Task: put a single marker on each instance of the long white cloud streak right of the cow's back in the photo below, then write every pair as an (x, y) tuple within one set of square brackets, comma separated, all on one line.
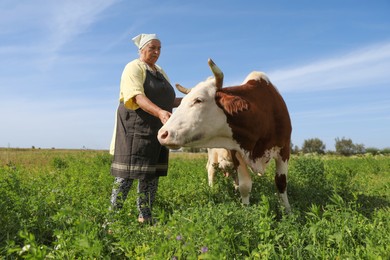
[(365, 67)]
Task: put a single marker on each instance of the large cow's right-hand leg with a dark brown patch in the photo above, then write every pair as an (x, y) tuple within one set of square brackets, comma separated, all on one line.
[(281, 182)]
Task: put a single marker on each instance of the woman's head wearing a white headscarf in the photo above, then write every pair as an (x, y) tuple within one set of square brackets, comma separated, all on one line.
[(149, 47)]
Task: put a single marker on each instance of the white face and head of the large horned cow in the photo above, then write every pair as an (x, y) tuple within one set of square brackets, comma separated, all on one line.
[(199, 121)]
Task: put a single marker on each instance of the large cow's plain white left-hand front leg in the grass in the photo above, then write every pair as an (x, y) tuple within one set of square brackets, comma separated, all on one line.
[(244, 179)]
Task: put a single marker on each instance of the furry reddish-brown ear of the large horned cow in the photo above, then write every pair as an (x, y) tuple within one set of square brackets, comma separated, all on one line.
[(230, 103)]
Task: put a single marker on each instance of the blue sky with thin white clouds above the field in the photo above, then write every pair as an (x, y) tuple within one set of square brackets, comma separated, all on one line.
[(61, 61)]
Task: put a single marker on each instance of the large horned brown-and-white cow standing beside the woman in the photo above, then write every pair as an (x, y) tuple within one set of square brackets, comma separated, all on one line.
[(251, 119)]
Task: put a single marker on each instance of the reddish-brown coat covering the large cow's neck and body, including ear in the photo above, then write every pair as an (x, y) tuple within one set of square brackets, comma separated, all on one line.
[(264, 124)]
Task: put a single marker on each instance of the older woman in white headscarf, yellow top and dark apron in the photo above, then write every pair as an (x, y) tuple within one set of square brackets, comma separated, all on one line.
[(146, 100)]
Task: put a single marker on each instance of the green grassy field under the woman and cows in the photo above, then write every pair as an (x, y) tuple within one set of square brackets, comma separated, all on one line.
[(54, 205)]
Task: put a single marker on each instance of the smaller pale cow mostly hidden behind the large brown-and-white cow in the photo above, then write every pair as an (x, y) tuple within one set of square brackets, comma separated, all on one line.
[(224, 160)]
